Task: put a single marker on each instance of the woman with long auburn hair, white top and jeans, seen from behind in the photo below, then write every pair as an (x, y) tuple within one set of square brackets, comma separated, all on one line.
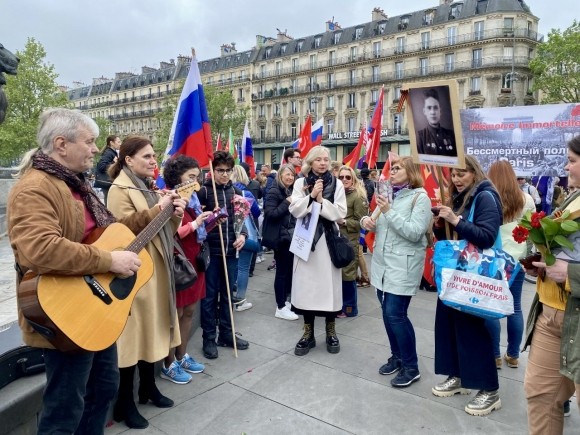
[(513, 200)]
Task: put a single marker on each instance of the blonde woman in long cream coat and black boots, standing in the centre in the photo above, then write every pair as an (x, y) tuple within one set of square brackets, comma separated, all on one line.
[(317, 283)]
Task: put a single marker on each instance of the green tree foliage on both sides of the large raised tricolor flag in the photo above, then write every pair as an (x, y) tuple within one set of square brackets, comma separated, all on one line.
[(223, 113)]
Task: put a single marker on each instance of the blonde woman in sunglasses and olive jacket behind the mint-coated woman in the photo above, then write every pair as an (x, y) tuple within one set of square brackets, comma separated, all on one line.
[(356, 207)]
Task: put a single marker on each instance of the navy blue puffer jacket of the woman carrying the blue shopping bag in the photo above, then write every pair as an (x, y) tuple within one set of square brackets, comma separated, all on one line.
[(487, 217)]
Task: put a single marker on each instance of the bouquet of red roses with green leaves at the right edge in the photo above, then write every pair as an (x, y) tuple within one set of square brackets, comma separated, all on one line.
[(547, 232)]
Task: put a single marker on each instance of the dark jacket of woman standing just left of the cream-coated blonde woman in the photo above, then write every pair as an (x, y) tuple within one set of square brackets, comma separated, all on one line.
[(278, 221)]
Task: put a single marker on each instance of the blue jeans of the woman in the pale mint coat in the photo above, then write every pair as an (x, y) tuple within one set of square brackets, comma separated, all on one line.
[(399, 328)]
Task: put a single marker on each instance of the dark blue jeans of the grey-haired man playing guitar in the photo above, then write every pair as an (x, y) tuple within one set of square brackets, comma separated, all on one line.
[(79, 390)]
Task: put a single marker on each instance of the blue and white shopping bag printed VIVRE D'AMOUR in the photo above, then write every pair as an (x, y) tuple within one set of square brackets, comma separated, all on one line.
[(474, 280)]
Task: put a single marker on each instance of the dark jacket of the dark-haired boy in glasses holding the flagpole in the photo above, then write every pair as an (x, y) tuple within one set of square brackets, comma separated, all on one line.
[(225, 193)]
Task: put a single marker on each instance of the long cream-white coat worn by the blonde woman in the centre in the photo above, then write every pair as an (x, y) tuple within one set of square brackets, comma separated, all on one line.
[(316, 283)]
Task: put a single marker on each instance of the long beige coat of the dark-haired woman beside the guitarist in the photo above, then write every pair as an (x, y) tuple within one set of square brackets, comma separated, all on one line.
[(147, 335)]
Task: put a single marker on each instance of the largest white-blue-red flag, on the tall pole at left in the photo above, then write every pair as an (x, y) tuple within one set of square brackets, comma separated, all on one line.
[(190, 132)]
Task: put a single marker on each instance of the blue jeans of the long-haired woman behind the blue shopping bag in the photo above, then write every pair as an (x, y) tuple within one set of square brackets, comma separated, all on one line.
[(515, 322)]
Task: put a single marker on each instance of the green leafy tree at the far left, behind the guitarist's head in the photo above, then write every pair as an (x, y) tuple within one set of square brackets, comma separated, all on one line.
[(30, 92)]
